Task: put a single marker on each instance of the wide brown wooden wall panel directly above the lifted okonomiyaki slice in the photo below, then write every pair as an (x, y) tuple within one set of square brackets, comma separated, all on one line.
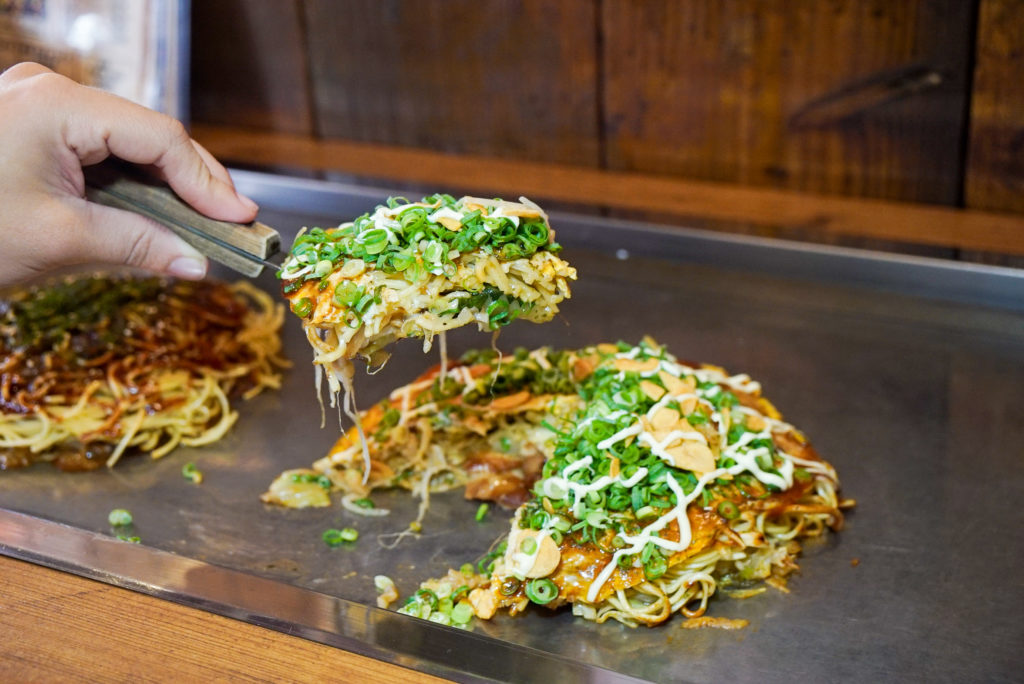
[(515, 78)]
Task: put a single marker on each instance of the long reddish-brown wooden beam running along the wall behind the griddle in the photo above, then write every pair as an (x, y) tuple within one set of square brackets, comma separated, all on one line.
[(688, 199)]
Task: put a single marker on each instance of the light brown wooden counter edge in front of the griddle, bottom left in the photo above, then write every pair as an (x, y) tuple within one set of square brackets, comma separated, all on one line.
[(59, 627)]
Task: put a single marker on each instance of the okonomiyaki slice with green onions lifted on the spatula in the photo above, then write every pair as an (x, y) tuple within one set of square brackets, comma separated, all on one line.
[(417, 270)]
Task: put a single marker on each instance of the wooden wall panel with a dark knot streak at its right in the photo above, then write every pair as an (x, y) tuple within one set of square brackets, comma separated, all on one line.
[(802, 96)]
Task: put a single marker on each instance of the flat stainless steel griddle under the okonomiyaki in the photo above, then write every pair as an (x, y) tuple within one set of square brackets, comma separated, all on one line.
[(908, 375)]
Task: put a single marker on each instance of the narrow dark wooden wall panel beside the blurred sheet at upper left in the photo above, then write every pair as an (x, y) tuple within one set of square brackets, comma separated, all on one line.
[(249, 65)]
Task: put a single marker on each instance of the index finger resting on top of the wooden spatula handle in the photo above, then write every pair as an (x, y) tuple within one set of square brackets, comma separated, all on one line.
[(103, 124)]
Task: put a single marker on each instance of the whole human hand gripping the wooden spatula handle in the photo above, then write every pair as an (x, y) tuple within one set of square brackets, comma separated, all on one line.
[(52, 129)]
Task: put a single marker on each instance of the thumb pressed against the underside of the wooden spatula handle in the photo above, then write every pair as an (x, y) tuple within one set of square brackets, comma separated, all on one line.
[(113, 236)]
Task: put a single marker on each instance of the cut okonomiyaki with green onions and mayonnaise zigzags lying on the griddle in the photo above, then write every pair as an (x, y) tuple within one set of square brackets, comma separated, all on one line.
[(643, 484)]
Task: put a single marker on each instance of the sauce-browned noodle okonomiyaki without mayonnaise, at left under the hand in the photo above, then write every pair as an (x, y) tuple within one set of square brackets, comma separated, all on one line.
[(92, 367)]
